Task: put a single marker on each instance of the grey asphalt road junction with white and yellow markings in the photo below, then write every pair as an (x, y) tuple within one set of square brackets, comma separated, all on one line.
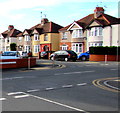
[(78, 86)]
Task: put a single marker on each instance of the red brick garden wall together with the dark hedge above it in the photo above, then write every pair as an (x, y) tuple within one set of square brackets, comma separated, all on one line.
[(101, 53)]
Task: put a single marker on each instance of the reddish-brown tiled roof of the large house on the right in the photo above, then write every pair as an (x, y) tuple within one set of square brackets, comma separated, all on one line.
[(103, 20)]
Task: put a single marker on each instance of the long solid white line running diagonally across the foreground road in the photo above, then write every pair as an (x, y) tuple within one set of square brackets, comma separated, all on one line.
[(57, 103)]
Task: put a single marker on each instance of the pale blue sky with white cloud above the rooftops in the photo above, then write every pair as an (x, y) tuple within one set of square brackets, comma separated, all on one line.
[(24, 14)]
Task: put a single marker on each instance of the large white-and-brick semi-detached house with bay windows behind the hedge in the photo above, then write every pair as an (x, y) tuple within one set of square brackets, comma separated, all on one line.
[(97, 29)]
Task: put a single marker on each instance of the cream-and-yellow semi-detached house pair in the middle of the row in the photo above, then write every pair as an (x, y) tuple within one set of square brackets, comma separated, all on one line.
[(41, 37)]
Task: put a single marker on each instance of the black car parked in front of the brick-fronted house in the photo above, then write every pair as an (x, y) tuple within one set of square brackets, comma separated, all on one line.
[(64, 55)]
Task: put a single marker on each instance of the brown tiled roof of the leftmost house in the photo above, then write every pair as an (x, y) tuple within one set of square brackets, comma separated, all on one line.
[(10, 33)]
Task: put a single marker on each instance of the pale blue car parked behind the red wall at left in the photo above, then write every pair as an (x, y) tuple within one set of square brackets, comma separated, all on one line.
[(10, 55)]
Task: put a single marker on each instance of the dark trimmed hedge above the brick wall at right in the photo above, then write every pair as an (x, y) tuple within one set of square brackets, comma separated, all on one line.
[(105, 50)]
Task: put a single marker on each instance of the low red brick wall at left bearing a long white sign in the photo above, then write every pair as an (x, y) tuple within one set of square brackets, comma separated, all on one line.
[(17, 63)]
